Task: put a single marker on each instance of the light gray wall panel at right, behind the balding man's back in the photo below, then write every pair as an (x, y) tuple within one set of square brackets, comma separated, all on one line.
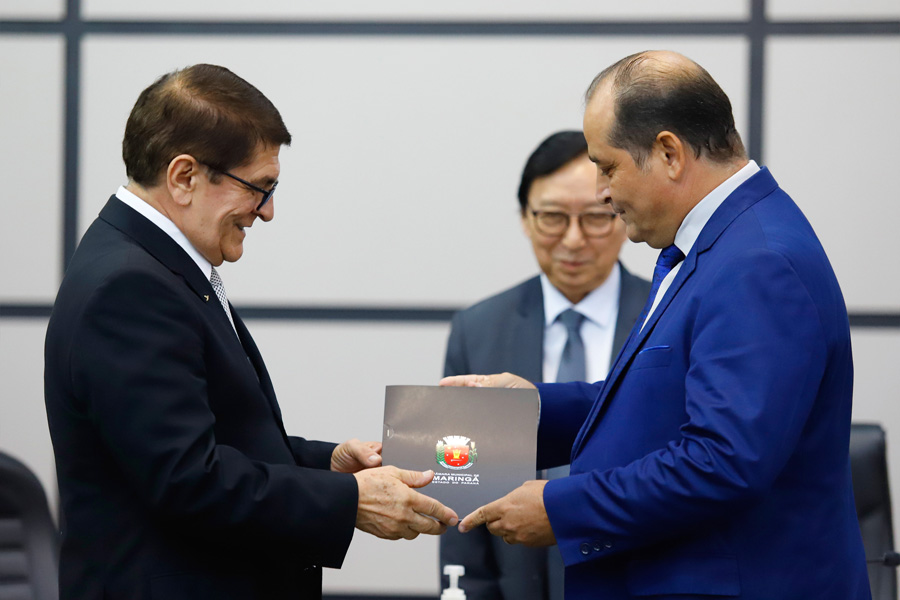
[(831, 116)]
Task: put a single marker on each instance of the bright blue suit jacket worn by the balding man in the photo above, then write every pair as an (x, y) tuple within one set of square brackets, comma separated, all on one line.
[(714, 459)]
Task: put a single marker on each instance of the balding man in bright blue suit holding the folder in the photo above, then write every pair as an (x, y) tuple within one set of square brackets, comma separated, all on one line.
[(713, 460)]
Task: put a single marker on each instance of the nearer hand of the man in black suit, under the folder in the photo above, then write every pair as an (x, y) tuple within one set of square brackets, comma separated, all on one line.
[(389, 509)]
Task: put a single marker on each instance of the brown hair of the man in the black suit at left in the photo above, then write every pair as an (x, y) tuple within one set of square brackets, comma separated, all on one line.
[(205, 111)]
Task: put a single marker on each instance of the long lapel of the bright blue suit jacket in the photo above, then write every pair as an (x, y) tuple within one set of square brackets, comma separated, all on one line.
[(746, 195)]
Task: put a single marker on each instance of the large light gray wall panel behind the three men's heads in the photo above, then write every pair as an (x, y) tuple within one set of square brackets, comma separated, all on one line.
[(400, 187)]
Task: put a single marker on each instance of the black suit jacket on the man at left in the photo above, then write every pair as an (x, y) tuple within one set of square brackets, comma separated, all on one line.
[(176, 477)]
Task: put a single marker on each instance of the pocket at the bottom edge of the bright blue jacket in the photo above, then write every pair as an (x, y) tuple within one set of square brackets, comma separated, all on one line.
[(696, 575)]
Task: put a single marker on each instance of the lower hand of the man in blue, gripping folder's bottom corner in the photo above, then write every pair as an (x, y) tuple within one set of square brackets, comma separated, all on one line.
[(519, 517)]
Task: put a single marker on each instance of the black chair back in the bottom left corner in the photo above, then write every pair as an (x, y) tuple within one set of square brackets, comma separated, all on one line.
[(29, 541)]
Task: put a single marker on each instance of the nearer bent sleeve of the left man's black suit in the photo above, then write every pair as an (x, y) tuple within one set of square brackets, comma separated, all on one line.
[(139, 374)]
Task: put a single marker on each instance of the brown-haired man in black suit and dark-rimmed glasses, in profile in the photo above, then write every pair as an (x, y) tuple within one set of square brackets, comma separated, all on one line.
[(176, 477)]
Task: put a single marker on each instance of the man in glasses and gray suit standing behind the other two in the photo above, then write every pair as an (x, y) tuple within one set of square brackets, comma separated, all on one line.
[(576, 240)]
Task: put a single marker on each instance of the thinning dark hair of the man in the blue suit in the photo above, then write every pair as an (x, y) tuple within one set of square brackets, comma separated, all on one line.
[(653, 96)]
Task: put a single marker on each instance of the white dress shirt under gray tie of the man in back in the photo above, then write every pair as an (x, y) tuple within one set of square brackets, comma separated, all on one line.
[(600, 309)]
